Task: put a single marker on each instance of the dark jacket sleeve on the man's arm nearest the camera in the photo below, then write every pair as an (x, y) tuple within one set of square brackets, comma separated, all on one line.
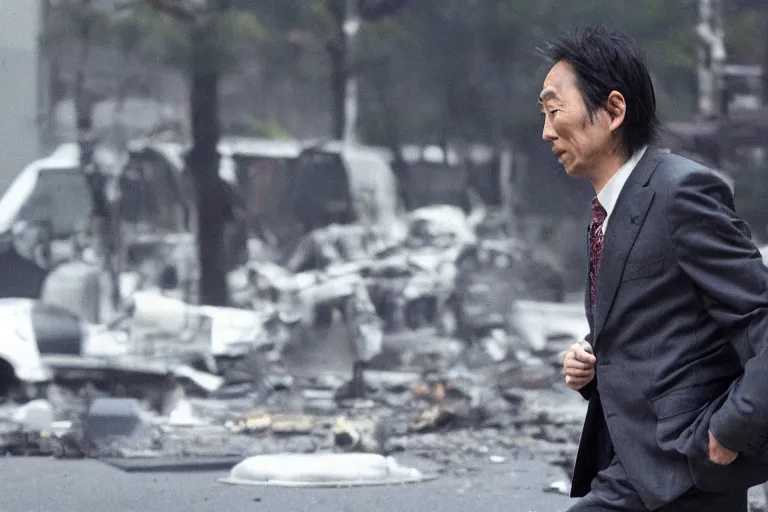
[(713, 247)]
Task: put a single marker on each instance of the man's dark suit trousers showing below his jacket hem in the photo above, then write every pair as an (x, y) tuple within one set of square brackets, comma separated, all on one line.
[(612, 491)]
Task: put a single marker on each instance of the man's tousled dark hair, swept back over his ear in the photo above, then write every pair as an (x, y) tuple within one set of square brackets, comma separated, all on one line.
[(606, 61)]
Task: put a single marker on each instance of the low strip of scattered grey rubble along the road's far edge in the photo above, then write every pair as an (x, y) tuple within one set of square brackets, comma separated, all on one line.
[(459, 425)]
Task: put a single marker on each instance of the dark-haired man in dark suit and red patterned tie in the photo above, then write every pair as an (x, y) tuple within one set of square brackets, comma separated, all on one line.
[(676, 366)]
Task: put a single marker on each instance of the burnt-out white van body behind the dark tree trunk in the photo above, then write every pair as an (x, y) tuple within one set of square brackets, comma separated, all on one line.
[(281, 190)]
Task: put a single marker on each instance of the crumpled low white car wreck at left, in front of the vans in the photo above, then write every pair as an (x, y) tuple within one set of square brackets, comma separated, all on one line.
[(157, 342)]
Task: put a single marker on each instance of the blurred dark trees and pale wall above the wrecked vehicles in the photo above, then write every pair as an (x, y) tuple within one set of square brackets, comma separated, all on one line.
[(456, 77)]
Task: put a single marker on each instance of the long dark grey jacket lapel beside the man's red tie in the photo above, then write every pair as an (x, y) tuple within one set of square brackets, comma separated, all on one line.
[(623, 227)]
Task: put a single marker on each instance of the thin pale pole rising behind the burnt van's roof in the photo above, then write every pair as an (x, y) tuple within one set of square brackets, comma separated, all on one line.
[(351, 27)]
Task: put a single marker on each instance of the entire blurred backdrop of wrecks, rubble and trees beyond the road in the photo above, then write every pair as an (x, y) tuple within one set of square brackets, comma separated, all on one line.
[(217, 205)]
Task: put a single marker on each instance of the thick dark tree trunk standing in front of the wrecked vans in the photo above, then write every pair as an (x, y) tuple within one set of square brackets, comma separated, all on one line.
[(210, 30)]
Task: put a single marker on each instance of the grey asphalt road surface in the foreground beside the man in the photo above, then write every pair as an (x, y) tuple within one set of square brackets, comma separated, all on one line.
[(48, 485)]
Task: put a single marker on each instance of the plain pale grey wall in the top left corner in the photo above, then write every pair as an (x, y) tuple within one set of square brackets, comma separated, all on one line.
[(19, 71)]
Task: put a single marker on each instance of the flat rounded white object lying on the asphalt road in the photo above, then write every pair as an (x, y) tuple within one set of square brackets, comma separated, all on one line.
[(322, 470)]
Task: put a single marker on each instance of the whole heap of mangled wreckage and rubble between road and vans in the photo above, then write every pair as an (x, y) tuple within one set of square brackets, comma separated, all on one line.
[(450, 363)]
